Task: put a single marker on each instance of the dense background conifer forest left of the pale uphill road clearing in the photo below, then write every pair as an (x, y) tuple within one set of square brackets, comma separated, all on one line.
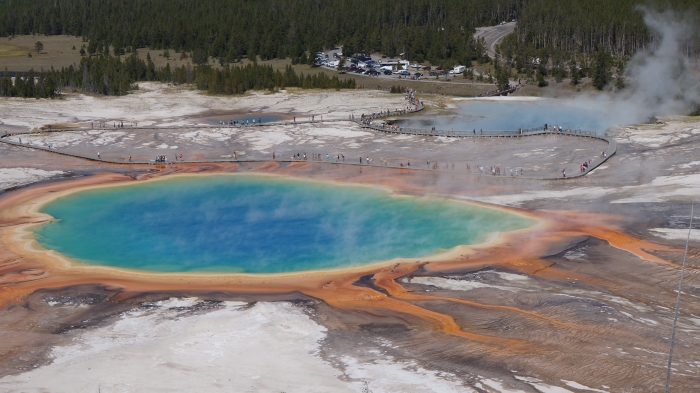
[(228, 30)]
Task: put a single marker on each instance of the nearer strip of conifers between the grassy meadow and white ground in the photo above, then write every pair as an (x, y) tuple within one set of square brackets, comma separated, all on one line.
[(110, 75)]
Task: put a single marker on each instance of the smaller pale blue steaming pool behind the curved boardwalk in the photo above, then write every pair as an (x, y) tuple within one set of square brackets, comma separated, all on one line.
[(513, 115)]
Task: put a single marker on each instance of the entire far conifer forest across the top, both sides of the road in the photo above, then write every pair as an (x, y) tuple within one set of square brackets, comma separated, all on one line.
[(440, 31)]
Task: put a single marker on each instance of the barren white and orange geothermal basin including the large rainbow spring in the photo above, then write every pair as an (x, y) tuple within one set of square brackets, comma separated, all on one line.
[(333, 265)]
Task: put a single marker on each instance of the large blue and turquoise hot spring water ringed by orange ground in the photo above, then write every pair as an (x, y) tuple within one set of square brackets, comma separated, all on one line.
[(257, 224)]
